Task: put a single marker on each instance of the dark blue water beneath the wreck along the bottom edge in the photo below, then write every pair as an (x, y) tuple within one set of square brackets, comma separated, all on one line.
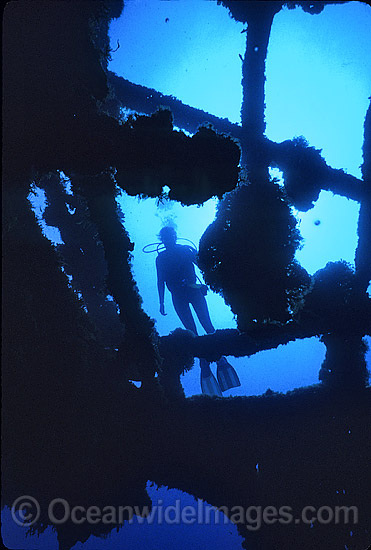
[(165, 533)]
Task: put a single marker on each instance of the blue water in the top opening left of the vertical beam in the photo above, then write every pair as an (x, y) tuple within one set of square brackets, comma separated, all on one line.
[(192, 54)]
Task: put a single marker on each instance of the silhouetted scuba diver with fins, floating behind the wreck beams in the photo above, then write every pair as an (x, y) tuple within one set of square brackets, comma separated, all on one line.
[(175, 268)]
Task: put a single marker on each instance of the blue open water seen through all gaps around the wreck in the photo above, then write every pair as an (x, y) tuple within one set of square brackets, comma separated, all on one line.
[(318, 81)]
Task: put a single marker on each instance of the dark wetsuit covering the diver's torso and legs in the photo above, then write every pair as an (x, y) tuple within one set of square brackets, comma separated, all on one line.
[(175, 267)]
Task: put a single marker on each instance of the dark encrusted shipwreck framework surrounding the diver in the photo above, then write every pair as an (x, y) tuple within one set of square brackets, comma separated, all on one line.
[(74, 425)]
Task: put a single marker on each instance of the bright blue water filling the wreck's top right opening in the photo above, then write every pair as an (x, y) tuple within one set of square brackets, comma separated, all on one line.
[(319, 80)]
